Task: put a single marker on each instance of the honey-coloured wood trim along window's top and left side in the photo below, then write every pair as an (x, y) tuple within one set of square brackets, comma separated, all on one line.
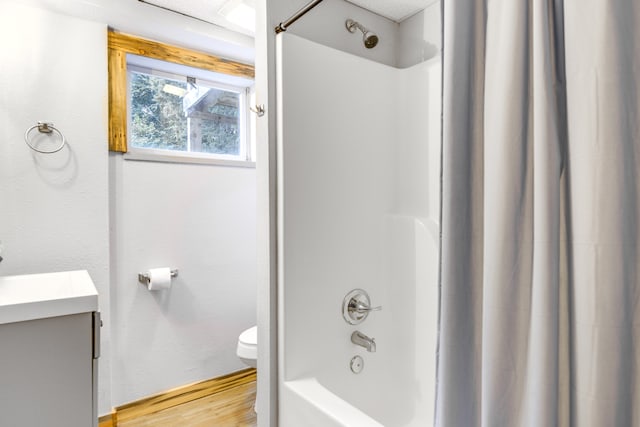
[(119, 45)]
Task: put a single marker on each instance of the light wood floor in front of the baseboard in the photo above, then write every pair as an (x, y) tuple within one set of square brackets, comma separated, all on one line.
[(228, 408)]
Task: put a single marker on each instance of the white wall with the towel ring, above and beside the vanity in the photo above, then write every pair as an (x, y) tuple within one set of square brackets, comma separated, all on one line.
[(54, 209)]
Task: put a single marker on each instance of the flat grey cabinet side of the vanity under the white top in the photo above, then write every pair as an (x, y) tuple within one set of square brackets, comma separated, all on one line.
[(46, 376)]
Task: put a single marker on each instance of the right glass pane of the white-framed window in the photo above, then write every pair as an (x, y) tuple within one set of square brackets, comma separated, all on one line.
[(214, 120)]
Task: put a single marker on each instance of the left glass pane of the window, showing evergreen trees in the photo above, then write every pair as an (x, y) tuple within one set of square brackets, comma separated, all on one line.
[(157, 117)]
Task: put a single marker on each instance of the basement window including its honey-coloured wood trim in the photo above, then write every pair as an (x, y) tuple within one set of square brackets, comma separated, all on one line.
[(173, 111)]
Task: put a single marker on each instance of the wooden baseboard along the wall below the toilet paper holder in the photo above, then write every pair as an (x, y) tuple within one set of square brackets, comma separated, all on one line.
[(178, 396)]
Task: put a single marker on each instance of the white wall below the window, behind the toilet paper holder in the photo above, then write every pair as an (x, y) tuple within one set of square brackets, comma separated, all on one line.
[(201, 220)]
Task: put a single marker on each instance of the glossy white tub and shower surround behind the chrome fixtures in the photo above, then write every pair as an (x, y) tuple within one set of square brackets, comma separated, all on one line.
[(358, 186)]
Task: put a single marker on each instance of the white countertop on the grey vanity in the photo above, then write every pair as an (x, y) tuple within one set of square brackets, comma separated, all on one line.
[(37, 296)]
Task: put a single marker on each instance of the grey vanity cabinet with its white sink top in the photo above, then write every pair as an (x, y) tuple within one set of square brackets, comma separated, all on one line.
[(49, 346)]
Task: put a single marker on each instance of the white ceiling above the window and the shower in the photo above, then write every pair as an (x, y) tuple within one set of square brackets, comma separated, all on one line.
[(209, 10)]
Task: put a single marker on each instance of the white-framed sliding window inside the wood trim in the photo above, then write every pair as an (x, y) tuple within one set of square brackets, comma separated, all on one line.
[(171, 109)]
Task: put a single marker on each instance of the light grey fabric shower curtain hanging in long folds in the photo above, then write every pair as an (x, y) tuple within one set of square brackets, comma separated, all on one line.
[(540, 298)]
